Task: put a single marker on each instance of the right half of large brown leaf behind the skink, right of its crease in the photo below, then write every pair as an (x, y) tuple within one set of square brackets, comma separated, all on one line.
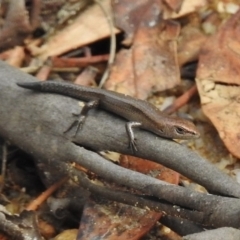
[(155, 58)]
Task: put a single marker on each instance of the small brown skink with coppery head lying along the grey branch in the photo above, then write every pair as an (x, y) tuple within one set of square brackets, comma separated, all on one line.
[(139, 113)]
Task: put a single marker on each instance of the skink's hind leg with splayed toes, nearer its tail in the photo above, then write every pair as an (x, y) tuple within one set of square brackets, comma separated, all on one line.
[(82, 116)]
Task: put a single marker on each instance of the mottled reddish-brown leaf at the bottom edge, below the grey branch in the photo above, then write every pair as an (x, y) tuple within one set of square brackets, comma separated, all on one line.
[(115, 221)]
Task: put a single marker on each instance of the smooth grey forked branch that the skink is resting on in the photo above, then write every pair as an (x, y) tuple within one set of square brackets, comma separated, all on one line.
[(36, 122)]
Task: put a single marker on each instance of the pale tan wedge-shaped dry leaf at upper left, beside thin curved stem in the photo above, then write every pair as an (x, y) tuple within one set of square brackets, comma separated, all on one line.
[(90, 26)]
